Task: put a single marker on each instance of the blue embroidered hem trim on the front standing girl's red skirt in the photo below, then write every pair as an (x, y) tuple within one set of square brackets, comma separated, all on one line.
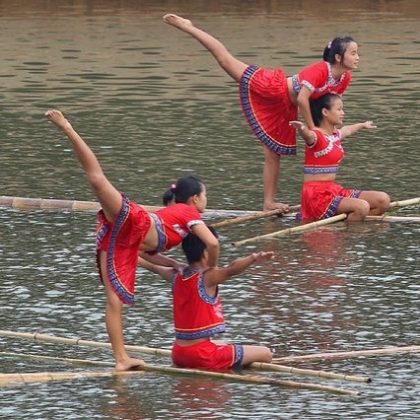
[(125, 296)]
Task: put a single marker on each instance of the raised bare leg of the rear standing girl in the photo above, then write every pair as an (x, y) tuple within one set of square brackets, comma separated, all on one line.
[(226, 60)]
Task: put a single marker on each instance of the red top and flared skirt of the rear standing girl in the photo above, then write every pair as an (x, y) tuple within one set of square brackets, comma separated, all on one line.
[(267, 106)]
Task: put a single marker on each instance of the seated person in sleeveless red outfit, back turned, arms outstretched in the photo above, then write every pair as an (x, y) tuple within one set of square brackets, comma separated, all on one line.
[(197, 310)]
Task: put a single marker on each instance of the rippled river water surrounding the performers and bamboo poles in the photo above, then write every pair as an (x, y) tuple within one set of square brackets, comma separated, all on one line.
[(154, 106)]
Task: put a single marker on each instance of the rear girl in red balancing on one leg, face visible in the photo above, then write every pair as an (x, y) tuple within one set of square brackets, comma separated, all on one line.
[(270, 99)]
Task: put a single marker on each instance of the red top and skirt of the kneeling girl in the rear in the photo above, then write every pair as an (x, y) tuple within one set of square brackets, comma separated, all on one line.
[(320, 199)]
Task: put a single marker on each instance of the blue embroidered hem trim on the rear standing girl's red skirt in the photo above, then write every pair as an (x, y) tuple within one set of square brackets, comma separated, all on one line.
[(252, 120)]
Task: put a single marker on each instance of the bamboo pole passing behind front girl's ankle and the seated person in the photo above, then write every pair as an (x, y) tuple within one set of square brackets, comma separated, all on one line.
[(167, 353)]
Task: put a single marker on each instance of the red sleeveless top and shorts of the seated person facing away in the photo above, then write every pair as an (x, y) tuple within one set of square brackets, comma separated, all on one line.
[(196, 316)]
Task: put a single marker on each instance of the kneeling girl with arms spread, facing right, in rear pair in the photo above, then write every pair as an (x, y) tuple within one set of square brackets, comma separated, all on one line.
[(321, 196)]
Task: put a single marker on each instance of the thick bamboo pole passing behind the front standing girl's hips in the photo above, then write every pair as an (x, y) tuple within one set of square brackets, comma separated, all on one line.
[(25, 203)]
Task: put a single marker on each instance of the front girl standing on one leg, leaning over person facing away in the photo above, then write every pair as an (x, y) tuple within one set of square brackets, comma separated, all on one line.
[(124, 229)]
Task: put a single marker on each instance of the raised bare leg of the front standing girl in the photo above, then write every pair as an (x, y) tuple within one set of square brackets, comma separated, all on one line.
[(109, 197)]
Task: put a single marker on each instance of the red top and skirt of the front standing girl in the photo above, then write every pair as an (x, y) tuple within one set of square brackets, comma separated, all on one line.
[(122, 239)]
